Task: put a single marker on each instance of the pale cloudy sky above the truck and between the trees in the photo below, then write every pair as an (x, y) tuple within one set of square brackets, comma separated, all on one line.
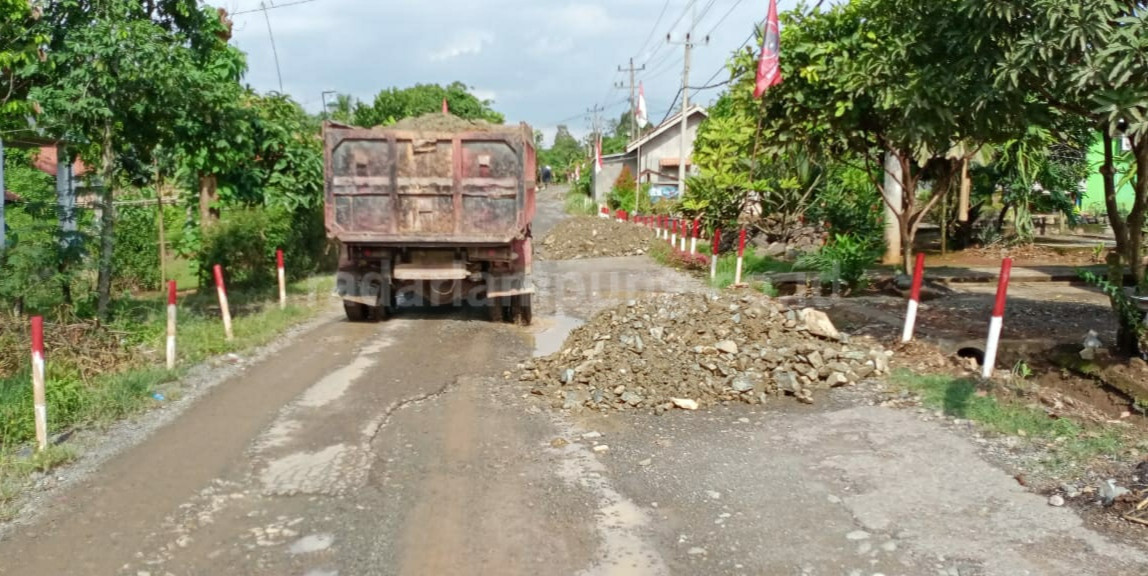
[(545, 63)]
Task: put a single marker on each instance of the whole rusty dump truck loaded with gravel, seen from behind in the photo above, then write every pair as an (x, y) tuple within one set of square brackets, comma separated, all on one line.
[(436, 209)]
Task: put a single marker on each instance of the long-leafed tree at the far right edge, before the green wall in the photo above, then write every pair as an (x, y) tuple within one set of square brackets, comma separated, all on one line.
[(1087, 59)]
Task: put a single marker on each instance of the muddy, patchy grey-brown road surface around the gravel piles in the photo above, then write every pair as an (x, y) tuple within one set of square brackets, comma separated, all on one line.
[(402, 449)]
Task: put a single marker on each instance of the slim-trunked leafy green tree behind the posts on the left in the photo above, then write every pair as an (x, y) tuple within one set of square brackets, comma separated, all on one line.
[(119, 79)]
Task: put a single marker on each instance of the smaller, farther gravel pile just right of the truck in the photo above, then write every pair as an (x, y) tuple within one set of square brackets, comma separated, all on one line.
[(594, 238)]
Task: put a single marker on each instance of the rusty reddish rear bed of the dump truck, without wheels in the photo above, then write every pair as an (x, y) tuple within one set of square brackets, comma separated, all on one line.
[(395, 188)]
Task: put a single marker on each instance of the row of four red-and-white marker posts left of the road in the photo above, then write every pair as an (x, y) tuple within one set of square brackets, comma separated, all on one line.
[(40, 379)]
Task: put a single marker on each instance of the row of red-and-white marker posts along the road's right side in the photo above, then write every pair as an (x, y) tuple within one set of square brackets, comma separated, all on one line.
[(668, 229)]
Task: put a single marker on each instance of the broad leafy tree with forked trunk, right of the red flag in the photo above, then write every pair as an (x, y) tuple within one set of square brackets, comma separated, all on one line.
[(882, 79)]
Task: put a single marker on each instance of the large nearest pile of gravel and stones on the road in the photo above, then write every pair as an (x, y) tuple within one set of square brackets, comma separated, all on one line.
[(692, 352)]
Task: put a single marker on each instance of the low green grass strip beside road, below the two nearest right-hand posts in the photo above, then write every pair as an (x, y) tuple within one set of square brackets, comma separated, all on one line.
[(1071, 443)]
